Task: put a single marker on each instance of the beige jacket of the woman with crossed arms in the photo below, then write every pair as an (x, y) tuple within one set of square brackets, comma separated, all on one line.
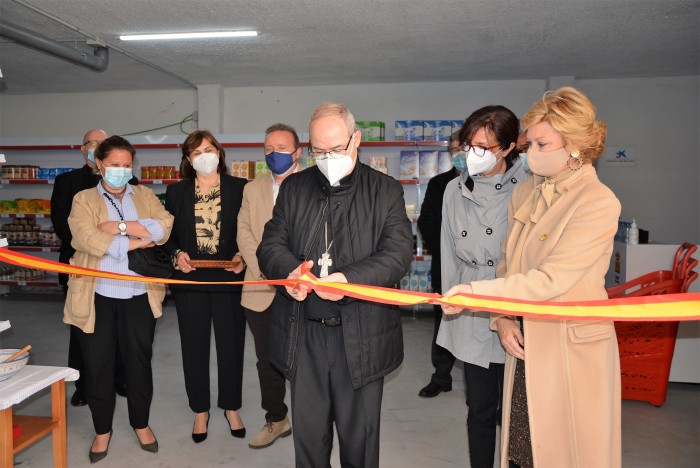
[(89, 210)]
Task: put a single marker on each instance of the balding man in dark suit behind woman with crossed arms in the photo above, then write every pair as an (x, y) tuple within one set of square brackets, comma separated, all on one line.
[(66, 187)]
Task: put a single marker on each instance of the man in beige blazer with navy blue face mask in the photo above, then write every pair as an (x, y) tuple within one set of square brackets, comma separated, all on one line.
[(282, 150)]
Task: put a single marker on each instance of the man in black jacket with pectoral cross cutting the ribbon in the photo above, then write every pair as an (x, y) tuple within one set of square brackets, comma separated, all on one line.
[(345, 222)]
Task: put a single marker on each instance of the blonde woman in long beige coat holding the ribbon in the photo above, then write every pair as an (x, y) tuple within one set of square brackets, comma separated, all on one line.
[(562, 378)]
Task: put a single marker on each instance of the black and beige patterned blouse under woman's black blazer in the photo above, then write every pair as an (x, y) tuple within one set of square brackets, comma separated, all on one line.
[(207, 217)]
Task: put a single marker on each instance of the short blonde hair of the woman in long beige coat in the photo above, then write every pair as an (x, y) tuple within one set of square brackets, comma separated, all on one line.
[(571, 114)]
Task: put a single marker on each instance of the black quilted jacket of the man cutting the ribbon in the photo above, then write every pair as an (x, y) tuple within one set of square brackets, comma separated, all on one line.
[(372, 244)]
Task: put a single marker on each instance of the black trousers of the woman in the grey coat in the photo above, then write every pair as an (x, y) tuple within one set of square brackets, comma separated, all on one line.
[(484, 394)]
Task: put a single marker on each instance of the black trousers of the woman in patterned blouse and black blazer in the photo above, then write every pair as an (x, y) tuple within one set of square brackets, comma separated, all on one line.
[(196, 311)]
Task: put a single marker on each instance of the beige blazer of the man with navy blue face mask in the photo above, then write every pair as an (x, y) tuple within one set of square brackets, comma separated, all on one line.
[(255, 212)]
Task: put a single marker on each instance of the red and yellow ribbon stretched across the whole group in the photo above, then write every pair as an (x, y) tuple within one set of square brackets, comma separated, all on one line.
[(669, 307)]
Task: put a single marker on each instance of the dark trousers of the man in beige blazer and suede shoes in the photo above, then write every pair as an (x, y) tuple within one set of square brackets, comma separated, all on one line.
[(272, 382)]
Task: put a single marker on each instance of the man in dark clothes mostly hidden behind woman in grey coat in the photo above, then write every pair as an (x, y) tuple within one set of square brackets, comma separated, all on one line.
[(429, 223)]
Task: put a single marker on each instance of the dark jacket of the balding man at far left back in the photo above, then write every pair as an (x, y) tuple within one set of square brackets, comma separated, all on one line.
[(66, 186)]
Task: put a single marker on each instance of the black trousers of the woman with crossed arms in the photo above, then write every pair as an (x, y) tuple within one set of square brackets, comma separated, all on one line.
[(131, 323)]
